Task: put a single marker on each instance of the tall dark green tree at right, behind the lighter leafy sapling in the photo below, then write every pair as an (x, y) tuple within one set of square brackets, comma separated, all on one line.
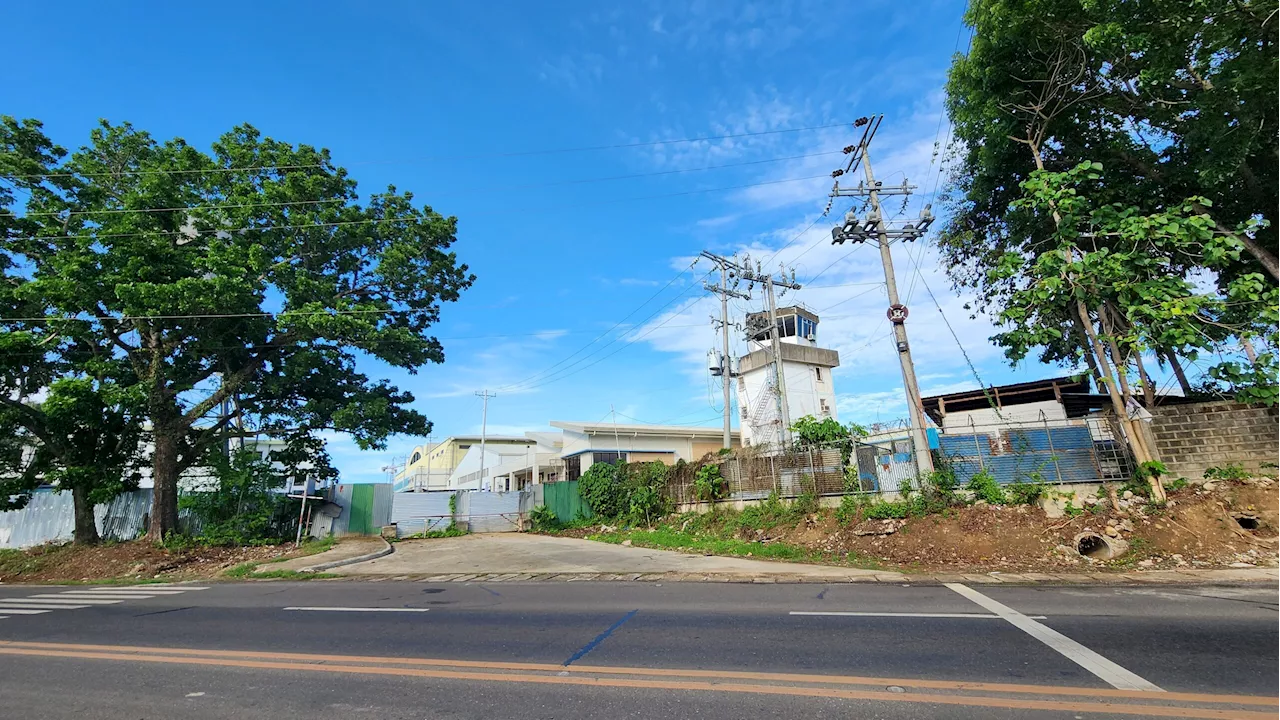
[(1177, 99)]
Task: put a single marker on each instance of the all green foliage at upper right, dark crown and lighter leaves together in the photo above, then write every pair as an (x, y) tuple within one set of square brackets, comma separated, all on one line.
[(1154, 93)]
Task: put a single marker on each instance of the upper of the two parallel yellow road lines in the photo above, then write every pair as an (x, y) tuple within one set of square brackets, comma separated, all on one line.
[(671, 673)]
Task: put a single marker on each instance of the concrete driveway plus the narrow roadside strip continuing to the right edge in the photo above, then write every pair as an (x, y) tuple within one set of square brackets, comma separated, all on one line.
[(524, 558)]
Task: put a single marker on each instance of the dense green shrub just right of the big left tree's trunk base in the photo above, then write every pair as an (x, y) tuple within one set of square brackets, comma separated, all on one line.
[(245, 507)]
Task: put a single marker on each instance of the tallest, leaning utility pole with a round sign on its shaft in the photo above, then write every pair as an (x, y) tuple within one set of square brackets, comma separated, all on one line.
[(874, 226)]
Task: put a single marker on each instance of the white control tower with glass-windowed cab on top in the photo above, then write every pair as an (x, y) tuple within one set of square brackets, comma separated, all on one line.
[(807, 376)]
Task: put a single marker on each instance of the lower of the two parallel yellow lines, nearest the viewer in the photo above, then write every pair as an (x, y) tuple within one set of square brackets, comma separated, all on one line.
[(839, 694)]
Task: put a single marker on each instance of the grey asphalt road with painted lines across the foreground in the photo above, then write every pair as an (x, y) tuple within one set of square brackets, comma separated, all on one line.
[(633, 650)]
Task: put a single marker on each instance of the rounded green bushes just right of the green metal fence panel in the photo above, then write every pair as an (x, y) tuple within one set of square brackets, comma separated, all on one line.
[(633, 493)]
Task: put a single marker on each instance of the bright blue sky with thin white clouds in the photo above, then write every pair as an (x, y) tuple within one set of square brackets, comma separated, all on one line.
[(446, 99)]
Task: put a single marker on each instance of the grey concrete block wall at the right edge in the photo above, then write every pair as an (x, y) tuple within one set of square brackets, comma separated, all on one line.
[(1195, 438)]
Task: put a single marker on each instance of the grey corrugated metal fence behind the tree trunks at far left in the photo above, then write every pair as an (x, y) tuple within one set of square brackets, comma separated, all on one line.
[(51, 517)]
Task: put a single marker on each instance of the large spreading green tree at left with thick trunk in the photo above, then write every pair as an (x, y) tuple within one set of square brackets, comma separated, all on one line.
[(253, 272)]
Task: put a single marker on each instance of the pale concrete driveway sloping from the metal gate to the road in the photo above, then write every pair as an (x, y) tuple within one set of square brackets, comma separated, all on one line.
[(537, 555)]
